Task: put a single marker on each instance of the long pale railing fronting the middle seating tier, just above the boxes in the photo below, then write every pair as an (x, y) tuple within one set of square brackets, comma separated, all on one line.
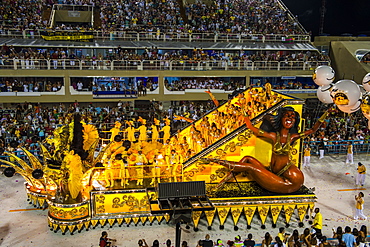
[(202, 65)]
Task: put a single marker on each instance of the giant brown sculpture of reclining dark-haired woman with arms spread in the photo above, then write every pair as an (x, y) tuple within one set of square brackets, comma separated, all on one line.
[(282, 176)]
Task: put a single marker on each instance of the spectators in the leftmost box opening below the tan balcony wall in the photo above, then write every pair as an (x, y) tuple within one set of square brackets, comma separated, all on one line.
[(15, 84)]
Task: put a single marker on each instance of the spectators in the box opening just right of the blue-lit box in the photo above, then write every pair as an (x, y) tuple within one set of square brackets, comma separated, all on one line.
[(226, 84)]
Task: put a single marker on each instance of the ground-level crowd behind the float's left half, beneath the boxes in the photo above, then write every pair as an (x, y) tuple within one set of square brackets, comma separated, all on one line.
[(29, 122)]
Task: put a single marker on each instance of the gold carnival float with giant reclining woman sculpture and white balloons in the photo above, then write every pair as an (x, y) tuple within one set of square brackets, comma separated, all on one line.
[(241, 159)]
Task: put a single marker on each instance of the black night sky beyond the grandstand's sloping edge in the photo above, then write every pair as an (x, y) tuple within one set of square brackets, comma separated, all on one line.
[(342, 16)]
